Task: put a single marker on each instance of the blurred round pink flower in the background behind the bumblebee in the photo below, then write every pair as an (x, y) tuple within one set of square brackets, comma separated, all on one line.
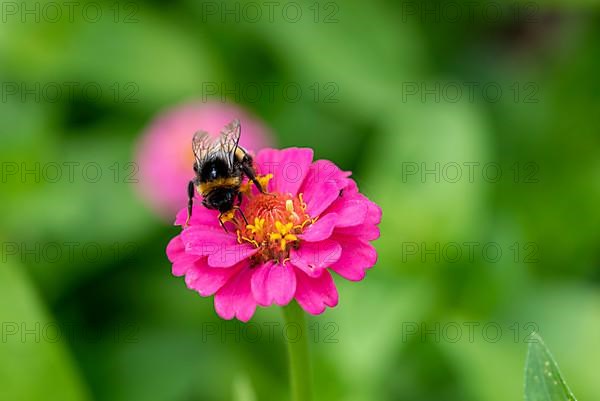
[(165, 157)]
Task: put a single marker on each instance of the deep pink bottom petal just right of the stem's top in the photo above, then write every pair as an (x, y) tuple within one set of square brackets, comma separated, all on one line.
[(315, 294)]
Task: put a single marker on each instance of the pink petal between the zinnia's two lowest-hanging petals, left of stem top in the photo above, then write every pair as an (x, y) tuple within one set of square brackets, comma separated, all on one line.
[(273, 283)]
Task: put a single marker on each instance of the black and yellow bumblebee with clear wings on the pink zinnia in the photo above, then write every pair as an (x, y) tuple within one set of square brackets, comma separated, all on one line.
[(219, 167)]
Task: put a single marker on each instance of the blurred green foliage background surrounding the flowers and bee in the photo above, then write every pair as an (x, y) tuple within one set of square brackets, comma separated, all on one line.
[(139, 334)]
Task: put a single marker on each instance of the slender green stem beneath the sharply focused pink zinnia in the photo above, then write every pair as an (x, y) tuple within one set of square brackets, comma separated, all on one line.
[(298, 353)]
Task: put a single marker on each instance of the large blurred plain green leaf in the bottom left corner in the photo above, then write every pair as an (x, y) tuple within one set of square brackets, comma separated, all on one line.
[(34, 362)]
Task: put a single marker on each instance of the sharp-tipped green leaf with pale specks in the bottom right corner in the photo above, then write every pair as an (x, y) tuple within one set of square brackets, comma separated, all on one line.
[(543, 380)]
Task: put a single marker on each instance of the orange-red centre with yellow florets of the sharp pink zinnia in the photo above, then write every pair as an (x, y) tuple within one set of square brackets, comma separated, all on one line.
[(276, 220)]
